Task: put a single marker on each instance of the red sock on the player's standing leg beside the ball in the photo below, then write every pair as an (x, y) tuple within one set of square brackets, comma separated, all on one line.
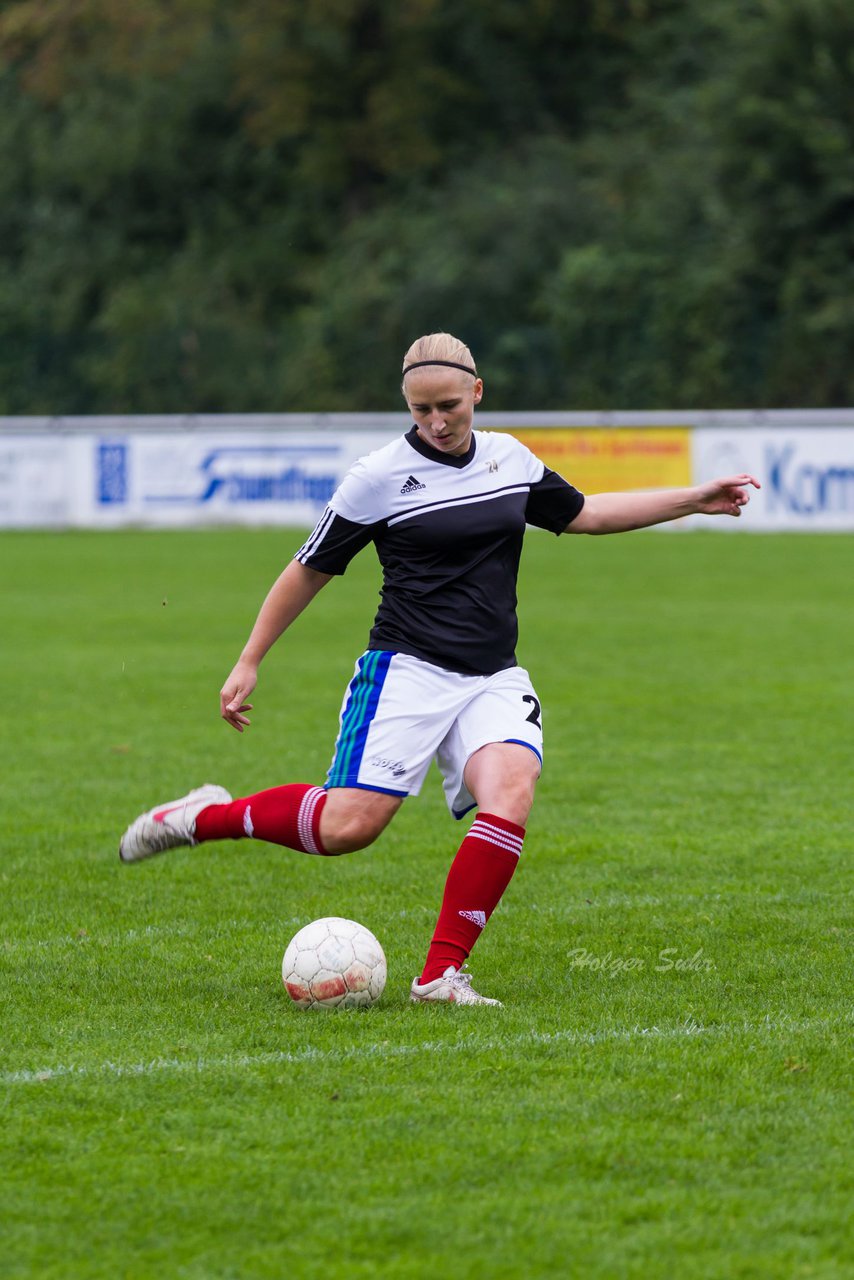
[(479, 875)]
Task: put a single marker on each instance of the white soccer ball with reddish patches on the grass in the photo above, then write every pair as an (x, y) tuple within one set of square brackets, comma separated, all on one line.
[(334, 964)]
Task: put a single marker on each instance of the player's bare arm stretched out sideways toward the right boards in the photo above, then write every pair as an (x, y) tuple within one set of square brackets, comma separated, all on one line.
[(619, 513)]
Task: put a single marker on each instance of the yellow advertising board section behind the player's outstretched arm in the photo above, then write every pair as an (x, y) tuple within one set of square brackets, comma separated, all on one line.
[(600, 460)]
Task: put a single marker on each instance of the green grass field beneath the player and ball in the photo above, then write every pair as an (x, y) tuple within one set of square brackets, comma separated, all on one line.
[(666, 1092)]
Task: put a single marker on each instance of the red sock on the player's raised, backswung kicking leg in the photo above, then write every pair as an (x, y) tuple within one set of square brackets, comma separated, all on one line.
[(285, 816)]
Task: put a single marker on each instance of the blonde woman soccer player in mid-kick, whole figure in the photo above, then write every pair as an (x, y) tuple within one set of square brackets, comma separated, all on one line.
[(446, 509)]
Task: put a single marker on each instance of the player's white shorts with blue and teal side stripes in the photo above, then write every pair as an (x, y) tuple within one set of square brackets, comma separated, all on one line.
[(401, 714)]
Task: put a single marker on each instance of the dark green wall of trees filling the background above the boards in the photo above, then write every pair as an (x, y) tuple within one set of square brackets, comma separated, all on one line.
[(616, 203)]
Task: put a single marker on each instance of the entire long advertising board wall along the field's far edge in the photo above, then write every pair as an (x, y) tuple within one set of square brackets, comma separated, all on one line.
[(282, 470)]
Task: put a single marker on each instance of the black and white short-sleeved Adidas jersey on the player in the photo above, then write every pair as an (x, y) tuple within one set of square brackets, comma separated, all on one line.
[(449, 533)]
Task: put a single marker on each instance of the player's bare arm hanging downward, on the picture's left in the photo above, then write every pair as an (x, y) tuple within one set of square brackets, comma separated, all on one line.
[(295, 588)]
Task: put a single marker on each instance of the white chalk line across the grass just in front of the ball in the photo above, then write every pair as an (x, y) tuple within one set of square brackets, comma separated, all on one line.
[(383, 1050)]
